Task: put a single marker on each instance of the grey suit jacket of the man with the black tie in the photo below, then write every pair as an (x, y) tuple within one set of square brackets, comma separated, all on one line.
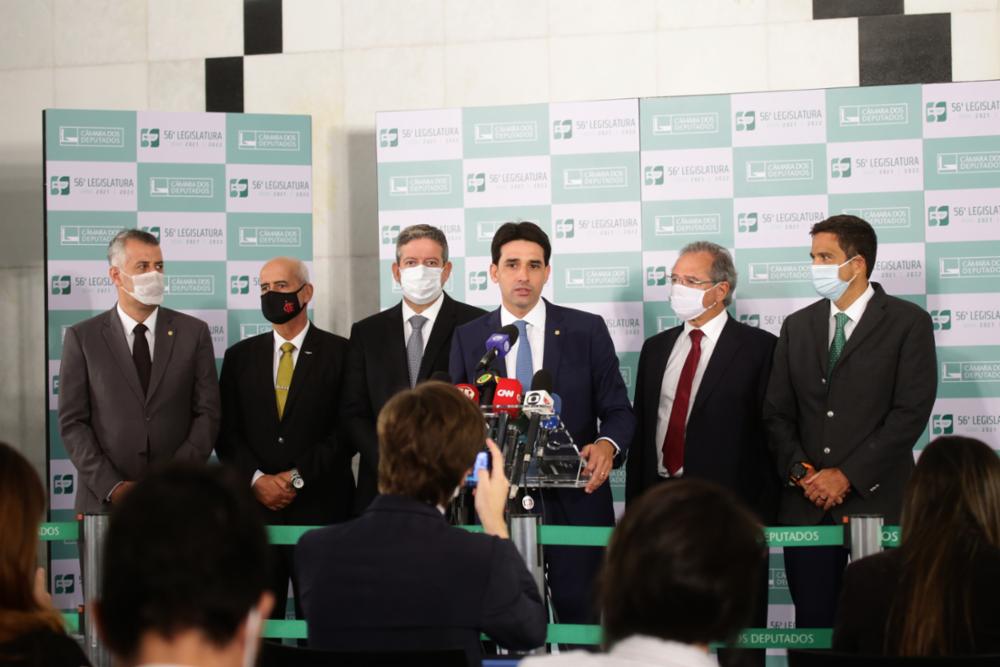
[(112, 431)]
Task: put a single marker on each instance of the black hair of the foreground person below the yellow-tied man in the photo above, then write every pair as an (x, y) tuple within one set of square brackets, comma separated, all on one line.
[(185, 550)]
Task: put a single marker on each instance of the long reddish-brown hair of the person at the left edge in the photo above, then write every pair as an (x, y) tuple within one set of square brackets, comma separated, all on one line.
[(22, 508)]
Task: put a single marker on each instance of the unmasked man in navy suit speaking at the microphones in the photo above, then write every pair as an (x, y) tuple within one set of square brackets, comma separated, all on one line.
[(576, 348)]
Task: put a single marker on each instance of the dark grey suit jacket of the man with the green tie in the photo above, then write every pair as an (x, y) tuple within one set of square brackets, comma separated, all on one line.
[(866, 419)]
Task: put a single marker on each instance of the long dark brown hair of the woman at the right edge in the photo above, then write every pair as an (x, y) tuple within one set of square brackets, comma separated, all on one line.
[(951, 514)]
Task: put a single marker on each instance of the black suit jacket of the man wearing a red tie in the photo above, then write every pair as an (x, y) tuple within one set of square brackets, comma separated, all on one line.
[(725, 439)]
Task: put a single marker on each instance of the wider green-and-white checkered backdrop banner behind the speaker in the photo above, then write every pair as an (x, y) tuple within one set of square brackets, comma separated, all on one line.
[(621, 185)]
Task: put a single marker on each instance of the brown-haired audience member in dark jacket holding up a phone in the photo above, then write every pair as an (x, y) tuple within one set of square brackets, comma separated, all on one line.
[(399, 577)]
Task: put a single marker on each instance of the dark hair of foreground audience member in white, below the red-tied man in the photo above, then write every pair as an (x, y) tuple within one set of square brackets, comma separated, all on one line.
[(684, 564)]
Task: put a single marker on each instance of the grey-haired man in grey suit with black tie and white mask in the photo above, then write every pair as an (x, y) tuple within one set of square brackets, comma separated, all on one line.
[(138, 382)]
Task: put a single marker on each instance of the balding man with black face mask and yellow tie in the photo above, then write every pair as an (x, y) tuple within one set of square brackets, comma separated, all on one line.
[(280, 393)]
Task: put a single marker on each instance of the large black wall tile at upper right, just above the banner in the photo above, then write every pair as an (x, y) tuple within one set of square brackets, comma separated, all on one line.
[(904, 49)]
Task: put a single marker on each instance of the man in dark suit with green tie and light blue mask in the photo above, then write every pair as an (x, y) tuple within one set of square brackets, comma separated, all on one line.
[(852, 387)]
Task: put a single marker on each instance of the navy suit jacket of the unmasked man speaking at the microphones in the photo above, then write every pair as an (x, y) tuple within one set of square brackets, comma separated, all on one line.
[(581, 357)]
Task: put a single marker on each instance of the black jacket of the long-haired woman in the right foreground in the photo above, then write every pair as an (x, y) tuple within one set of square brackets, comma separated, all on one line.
[(870, 587)]
